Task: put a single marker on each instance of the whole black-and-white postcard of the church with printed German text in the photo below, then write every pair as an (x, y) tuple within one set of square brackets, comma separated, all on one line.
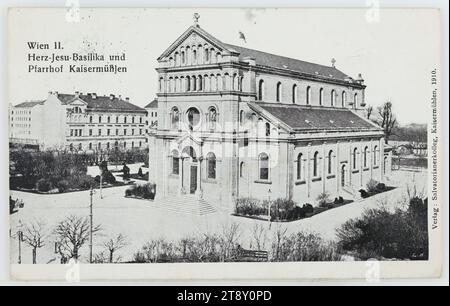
[(192, 140)]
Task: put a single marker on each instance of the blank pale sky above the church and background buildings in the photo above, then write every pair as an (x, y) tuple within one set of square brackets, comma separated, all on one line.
[(395, 53)]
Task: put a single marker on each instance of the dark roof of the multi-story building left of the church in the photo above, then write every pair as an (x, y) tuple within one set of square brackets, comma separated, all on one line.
[(103, 103)]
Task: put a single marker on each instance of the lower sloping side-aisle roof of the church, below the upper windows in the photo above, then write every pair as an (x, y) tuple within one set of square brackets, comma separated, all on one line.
[(300, 117)]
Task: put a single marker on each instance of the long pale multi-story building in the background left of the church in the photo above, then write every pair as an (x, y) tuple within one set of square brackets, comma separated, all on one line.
[(79, 121)]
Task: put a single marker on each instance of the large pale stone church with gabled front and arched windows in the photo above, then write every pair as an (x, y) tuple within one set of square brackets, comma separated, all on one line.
[(235, 122)]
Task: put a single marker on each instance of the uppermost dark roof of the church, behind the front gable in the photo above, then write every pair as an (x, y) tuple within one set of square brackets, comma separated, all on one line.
[(282, 62)]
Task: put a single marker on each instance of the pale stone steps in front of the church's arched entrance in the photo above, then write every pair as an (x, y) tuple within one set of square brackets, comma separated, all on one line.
[(186, 204)]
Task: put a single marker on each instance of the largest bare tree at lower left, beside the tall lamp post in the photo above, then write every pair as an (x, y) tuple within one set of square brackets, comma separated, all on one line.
[(72, 234)]
